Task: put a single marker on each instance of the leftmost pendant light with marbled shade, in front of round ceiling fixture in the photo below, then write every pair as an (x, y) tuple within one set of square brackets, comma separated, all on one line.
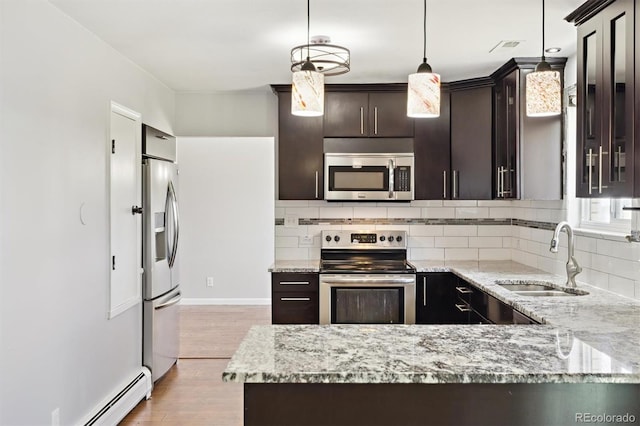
[(307, 88)]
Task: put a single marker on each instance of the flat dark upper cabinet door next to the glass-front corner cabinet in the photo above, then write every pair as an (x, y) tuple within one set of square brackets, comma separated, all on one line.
[(471, 138)]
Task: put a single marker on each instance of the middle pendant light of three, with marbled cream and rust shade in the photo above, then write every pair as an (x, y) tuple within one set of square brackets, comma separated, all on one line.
[(423, 91)]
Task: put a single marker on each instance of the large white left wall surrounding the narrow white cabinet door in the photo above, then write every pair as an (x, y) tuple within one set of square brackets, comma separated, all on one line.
[(58, 349)]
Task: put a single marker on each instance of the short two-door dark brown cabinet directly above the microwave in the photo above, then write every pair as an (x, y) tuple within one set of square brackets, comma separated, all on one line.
[(367, 111)]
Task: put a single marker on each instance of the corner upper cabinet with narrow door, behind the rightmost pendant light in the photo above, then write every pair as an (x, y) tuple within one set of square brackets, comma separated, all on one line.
[(527, 151)]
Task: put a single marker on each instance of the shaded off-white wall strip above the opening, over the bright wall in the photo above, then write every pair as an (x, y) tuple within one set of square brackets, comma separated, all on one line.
[(234, 113)]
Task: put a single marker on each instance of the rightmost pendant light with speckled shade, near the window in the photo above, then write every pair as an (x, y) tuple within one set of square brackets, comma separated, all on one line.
[(543, 89)]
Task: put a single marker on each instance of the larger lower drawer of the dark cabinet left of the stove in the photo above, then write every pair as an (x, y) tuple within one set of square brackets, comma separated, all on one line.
[(295, 308)]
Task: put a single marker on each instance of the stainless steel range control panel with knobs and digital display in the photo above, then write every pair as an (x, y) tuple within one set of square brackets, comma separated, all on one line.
[(364, 239)]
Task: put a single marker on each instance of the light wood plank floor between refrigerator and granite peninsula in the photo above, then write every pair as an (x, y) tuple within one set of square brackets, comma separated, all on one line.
[(192, 392)]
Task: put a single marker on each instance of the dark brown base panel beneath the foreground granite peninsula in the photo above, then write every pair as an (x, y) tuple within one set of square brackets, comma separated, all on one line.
[(443, 404)]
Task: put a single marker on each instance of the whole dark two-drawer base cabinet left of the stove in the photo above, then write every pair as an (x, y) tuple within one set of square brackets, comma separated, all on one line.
[(294, 298)]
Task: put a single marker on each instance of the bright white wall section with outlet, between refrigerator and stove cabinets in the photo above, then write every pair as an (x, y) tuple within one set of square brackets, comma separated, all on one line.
[(227, 215)]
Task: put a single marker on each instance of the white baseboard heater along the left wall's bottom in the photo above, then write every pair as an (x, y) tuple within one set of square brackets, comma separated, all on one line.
[(120, 405)]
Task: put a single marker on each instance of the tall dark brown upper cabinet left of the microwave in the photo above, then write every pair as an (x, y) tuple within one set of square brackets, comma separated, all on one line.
[(300, 156)]
